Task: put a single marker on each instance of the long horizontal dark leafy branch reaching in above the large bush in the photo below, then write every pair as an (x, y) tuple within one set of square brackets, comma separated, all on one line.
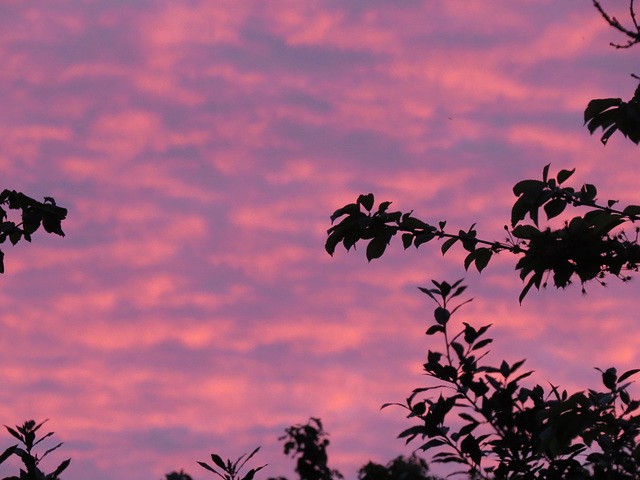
[(586, 246)]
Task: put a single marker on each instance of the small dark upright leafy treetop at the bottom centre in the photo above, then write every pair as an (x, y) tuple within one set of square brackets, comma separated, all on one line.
[(309, 444)]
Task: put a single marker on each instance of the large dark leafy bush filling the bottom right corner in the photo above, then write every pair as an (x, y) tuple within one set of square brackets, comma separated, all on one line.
[(481, 417)]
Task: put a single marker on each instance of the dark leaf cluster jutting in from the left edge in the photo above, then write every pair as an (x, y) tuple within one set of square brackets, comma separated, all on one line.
[(33, 215)]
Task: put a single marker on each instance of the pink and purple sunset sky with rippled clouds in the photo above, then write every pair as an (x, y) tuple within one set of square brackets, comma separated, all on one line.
[(200, 148)]
